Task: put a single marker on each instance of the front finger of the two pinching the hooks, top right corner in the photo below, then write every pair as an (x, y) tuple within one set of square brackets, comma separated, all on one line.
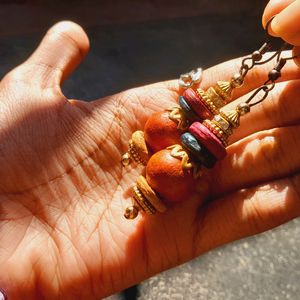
[(286, 23)]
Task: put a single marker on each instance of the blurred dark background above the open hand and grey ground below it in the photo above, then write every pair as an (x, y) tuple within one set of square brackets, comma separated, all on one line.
[(135, 42)]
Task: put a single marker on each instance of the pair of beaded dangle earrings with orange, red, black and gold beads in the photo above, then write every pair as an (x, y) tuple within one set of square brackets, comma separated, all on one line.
[(177, 143)]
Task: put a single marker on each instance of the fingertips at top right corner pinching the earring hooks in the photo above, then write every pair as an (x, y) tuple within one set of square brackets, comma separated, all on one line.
[(286, 23)]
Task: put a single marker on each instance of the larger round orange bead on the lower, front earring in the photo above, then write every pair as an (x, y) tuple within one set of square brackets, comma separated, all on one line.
[(165, 175)]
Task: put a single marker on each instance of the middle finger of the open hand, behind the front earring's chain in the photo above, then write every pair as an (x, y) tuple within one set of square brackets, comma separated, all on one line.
[(280, 109)]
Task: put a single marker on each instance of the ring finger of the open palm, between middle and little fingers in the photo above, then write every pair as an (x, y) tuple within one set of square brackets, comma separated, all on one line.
[(261, 157)]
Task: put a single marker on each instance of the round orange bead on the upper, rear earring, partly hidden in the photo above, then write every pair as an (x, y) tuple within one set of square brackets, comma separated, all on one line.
[(161, 132)]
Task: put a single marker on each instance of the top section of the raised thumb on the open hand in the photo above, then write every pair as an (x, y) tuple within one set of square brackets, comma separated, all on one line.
[(61, 50)]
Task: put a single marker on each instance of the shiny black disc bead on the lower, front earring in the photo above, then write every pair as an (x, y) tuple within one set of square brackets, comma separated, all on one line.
[(197, 151)]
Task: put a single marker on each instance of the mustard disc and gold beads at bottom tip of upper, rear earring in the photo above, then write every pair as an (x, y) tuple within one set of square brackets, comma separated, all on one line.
[(137, 151)]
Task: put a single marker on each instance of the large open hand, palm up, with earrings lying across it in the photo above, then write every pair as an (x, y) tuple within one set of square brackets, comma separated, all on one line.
[(63, 190)]
